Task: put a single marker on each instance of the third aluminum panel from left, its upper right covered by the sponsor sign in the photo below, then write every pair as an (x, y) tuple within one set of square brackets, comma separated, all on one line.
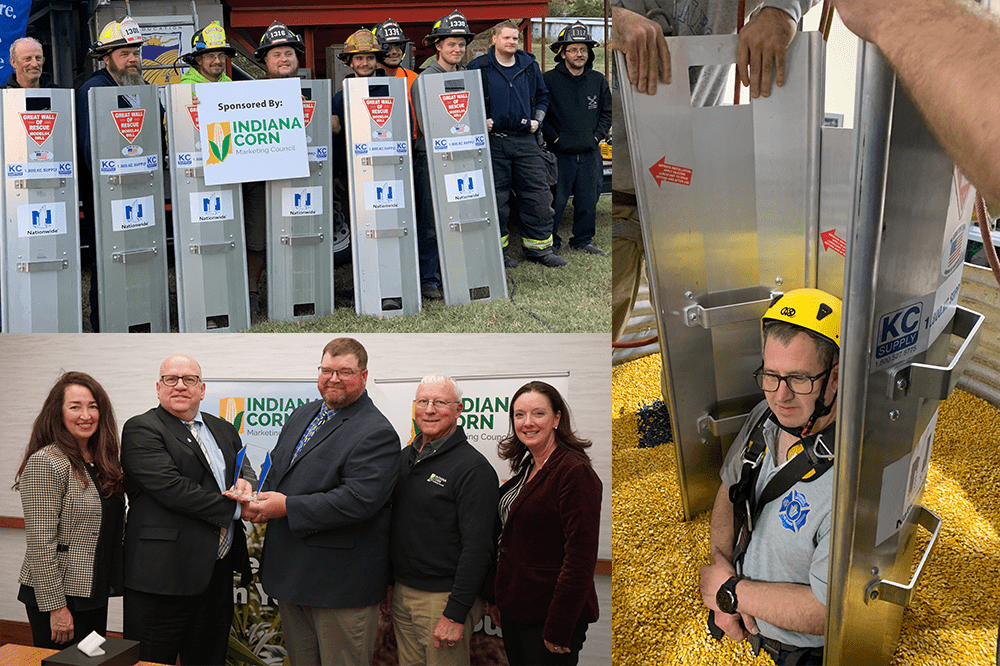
[(209, 239)]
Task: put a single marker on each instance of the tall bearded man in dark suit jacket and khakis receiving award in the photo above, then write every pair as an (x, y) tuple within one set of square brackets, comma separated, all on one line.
[(326, 553)]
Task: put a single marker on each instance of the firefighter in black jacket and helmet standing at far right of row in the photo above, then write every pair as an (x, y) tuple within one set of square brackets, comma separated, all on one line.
[(579, 118)]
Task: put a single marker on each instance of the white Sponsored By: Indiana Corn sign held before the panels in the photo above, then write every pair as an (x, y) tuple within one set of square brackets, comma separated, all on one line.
[(252, 130)]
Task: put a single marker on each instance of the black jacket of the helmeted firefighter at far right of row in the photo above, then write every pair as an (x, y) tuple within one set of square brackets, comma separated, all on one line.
[(580, 115)]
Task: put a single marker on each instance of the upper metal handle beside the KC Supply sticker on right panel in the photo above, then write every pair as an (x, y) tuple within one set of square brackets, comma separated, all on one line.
[(935, 382)]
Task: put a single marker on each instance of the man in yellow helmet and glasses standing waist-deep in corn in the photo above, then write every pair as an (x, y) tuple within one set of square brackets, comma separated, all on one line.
[(771, 520)]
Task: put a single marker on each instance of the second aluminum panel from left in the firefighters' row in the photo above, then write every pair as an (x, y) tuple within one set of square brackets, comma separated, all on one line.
[(127, 165)]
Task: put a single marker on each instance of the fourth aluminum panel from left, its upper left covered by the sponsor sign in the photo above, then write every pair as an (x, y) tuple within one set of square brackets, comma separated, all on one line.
[(299, 223)]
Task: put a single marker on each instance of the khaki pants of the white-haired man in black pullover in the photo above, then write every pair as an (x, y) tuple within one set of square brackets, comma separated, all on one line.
[(414, 615)]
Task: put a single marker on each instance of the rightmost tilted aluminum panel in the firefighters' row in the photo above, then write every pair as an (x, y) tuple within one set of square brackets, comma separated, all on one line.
[(453, 119)]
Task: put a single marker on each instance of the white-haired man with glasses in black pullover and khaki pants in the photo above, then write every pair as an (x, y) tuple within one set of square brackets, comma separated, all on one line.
[(442, 531)]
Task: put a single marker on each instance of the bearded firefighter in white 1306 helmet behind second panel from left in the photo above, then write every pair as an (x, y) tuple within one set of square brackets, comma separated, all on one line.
[(118, 46)]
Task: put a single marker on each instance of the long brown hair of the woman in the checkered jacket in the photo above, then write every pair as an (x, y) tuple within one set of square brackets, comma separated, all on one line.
[(50, 428)]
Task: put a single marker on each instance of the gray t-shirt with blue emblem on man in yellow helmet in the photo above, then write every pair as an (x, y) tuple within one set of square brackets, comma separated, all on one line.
[(791, 542)]
